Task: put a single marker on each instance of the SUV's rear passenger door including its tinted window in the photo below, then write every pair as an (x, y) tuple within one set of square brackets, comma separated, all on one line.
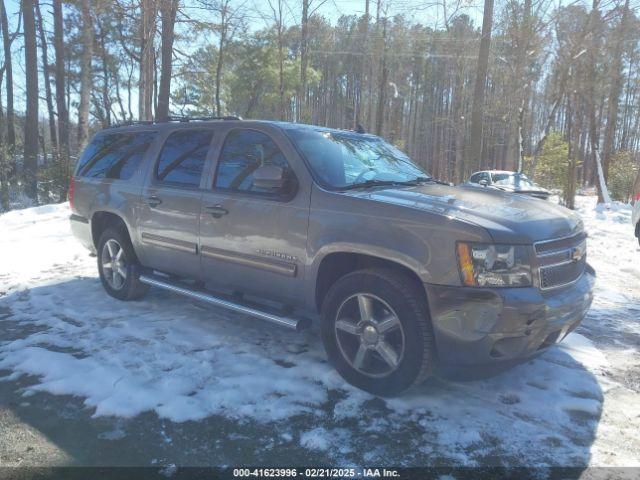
[(170, 203)]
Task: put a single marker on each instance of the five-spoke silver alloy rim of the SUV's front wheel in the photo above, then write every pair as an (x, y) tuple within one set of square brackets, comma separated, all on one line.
[(370, 335)]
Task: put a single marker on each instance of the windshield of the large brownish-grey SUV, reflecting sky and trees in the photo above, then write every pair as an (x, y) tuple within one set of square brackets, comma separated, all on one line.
[(348, 160)]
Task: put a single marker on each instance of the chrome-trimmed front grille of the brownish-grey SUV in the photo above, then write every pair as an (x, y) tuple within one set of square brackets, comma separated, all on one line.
[(561, 261)]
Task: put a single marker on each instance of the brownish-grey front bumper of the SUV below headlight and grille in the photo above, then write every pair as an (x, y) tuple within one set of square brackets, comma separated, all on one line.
[(484, 328)]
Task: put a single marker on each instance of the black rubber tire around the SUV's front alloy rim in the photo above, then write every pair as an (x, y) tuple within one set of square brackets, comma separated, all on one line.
[(407, 301)]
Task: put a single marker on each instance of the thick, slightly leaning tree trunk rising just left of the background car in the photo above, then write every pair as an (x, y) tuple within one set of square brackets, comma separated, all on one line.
[(475, 147)]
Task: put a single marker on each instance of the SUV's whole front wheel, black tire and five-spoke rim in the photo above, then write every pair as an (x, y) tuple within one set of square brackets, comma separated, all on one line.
[(376, 331)]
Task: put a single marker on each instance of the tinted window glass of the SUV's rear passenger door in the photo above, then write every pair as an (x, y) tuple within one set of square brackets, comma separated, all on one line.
[(182, 157)]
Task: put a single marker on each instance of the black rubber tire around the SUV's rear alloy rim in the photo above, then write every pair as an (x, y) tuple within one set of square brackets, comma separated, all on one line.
[(131, 288)]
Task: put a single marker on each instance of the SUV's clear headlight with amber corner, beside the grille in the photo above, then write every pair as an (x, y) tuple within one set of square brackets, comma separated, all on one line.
[(486, 265)]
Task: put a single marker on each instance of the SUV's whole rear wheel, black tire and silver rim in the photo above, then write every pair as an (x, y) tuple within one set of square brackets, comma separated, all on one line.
[(118, 266)]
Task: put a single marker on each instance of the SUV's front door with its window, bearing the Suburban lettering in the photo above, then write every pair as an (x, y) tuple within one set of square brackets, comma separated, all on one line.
[(254, 240)]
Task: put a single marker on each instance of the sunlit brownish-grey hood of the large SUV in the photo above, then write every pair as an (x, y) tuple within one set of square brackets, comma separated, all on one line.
[(509, 218)]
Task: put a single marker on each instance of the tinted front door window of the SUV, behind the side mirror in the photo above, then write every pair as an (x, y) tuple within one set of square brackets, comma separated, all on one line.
[(243, 153)]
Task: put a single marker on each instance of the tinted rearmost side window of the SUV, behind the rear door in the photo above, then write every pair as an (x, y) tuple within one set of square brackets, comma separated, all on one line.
[(114, 155)]
